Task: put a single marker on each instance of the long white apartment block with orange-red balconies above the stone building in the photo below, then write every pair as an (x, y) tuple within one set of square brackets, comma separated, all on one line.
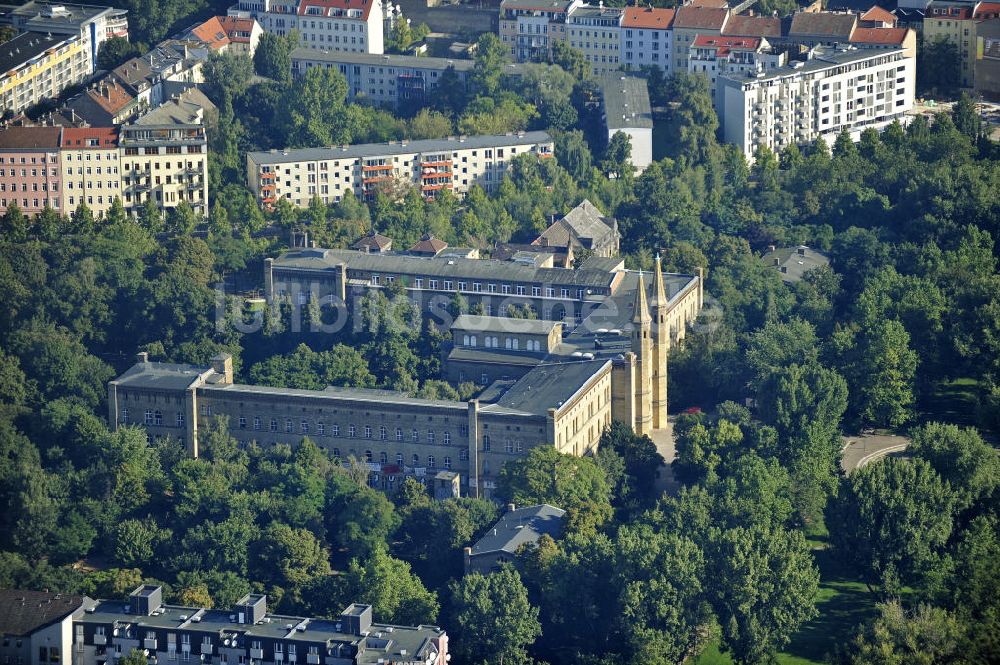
[(432, 165)]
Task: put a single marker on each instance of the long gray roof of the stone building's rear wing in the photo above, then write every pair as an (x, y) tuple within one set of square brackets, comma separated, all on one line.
[(444, 267)]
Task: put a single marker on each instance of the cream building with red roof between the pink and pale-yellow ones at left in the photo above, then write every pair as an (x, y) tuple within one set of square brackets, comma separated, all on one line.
[(91, 168)]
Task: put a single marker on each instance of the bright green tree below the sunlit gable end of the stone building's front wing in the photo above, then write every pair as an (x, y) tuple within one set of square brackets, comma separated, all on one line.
[(575, 484)]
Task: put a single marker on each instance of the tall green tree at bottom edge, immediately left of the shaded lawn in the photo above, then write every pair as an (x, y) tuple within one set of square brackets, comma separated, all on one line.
[(763, 586)]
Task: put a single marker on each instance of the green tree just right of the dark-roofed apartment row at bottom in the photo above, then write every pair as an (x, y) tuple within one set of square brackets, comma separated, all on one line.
[(494, 621)]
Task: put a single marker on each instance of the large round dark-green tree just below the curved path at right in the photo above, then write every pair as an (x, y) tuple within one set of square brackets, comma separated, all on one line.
[(890, 520)]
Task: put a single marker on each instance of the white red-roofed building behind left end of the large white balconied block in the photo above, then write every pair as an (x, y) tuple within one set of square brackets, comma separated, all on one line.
[(713, 57)]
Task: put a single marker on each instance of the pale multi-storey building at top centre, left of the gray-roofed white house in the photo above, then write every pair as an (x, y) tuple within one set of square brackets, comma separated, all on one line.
[(530, 27)]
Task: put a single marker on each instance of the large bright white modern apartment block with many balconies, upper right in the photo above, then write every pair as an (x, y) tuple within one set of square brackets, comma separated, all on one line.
[(835, 89)]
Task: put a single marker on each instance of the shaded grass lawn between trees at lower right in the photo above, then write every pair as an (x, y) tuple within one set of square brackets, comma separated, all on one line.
[(843, 603)]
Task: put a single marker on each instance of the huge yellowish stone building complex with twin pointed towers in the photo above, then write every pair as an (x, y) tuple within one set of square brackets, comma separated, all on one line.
[(611, 364)]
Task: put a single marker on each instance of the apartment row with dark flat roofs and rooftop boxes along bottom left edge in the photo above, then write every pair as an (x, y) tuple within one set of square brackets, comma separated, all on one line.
[(41, 628)]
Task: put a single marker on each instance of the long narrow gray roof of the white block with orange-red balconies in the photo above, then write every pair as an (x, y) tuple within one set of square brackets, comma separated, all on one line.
[(363, 150)]
